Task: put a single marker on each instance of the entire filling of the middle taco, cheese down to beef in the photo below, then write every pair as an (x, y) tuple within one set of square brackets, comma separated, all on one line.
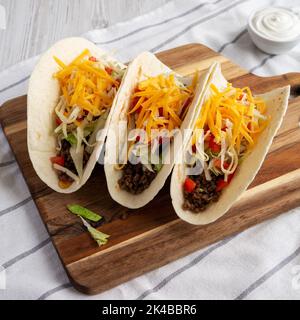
[(158, 105)]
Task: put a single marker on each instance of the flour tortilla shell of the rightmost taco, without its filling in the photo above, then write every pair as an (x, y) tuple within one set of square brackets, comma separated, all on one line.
[(276, 102)]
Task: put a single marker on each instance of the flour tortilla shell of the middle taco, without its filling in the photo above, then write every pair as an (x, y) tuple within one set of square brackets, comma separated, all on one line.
[(144, 64)]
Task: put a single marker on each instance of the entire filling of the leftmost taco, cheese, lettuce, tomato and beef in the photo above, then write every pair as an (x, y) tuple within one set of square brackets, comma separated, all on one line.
[(87, 90)]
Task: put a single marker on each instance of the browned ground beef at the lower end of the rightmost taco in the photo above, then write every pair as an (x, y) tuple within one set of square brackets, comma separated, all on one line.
[(204, 193)]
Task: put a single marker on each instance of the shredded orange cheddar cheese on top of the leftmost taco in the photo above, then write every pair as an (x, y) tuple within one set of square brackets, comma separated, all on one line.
[(85, 84)]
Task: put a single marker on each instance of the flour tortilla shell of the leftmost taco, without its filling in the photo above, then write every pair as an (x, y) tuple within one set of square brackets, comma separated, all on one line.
[(43, 94)]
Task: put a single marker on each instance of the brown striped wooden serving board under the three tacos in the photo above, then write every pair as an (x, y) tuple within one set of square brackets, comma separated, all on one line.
[(152, 236)]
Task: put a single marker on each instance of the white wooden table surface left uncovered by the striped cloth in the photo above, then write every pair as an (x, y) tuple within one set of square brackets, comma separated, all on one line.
[(33, 25)]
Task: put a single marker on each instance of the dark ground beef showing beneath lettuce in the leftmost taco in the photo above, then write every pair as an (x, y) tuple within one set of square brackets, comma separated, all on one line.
[(69, 164)]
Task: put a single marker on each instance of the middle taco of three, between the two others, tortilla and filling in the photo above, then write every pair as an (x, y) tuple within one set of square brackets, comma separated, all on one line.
[(153, 105)]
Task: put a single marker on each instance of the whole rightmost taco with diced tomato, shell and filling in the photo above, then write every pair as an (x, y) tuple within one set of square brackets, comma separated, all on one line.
[(230, 136)]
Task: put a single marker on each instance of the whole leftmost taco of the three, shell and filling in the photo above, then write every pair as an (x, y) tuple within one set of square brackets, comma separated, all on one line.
[(70, 102)]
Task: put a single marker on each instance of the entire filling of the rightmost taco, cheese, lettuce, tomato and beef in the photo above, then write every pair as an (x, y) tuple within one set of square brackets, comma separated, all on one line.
[(227, 129)]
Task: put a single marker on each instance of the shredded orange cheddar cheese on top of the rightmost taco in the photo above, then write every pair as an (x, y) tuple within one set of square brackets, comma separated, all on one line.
[(240, 108)]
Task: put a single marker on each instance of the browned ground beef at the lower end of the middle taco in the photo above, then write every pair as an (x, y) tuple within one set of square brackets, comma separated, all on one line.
[(136, 178)]
